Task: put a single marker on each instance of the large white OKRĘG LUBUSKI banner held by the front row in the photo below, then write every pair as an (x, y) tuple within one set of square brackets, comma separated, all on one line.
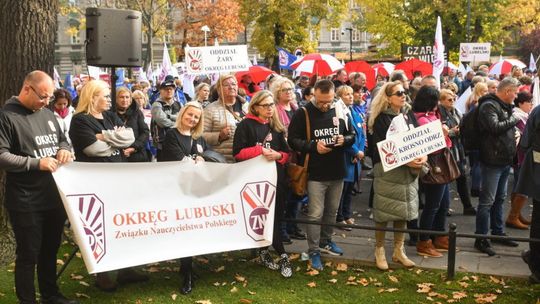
[(128, 214)]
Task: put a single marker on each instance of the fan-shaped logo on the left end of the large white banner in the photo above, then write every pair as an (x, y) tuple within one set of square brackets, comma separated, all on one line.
[(92, 218)]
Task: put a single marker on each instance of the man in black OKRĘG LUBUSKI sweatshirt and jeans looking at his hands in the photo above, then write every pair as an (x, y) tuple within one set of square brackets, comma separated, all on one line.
[(326, 166)]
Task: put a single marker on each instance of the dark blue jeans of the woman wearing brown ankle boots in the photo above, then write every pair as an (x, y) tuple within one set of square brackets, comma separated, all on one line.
[(436, 206)]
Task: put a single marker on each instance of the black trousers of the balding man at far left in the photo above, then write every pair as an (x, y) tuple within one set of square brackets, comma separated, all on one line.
[(38, 236)]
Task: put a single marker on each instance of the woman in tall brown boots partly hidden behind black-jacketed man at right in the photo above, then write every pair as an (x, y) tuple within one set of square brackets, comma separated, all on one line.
[(523, 106)]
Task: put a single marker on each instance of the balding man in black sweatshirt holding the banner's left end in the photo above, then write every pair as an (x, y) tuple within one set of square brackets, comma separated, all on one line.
[(32, 145)]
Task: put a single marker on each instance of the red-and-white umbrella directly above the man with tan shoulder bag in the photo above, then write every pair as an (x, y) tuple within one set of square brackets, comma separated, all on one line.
[(315, 63)]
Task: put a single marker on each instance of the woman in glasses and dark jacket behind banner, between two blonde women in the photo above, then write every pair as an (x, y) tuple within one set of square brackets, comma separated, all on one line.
[(128, 111)]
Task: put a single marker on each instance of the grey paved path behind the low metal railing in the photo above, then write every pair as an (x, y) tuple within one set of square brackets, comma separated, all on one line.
[(358, 245)]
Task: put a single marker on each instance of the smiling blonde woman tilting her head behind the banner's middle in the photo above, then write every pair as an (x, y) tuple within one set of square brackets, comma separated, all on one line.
[(185, 143)]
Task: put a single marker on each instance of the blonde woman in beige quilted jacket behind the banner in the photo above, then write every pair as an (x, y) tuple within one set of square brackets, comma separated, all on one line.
[(222, 116)]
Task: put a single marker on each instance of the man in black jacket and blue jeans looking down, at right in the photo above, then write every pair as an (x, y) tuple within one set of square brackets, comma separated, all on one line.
[(497, 150)]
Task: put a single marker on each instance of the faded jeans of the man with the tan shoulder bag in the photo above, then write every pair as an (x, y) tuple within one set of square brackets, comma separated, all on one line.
[(322, 206)]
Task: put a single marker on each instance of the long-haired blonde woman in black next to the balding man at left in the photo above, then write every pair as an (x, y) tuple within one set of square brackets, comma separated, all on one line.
[(98, 135)]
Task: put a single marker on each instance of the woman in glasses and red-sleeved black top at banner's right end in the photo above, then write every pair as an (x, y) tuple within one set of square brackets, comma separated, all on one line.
[(262, 133)]
